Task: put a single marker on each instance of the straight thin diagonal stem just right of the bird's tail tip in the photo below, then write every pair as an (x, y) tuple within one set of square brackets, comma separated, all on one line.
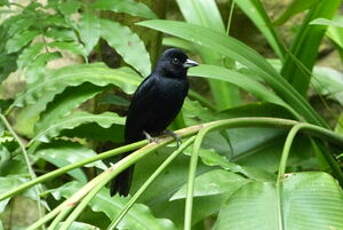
[(147, 183)]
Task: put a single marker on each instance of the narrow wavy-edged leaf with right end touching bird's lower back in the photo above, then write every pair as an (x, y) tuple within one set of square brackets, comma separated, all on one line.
[(76, 119)]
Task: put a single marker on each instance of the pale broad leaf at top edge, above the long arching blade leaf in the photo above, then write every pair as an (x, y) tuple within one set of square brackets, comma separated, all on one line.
[(202, 12)]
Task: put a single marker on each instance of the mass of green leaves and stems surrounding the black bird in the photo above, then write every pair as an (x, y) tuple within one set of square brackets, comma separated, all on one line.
[(69, 67)]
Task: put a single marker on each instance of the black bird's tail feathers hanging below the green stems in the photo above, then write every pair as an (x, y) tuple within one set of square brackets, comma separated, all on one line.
[(122, 183)]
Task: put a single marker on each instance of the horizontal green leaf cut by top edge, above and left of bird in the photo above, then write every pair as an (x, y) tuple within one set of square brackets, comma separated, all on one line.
[(125, 6)]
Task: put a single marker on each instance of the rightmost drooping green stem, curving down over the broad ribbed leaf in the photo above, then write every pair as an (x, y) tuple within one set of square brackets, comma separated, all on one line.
[(282, 168)]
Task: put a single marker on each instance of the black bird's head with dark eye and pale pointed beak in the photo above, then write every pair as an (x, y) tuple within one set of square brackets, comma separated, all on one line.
[(174, 63)]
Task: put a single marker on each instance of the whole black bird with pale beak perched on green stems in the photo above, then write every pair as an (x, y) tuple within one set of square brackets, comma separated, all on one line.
[(155, 104)]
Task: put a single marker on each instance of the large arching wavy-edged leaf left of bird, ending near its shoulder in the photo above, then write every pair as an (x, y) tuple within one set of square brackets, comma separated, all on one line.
[(39, 94)]
